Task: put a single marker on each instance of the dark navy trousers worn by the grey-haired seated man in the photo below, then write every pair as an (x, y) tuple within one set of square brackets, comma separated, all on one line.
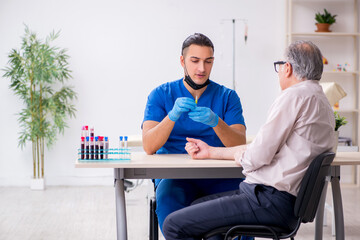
[(251, 204)]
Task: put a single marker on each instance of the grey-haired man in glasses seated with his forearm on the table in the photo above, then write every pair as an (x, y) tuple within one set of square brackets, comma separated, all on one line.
[(300, 126)]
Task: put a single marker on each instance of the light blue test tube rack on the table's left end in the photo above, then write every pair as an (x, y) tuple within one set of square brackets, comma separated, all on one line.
[(110, 154)]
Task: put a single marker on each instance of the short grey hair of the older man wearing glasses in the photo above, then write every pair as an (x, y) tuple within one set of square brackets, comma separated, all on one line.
[(306, 60)]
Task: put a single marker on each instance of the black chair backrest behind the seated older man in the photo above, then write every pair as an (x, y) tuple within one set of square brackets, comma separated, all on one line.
[(312, 186)]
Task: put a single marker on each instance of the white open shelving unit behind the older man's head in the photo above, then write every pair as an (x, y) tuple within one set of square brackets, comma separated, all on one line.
[(339, 47)]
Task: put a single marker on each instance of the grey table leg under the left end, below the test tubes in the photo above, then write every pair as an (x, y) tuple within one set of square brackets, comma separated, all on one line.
[(121, 225)]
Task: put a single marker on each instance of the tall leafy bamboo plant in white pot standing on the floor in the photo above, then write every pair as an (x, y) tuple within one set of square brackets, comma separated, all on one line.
[(37, 73)]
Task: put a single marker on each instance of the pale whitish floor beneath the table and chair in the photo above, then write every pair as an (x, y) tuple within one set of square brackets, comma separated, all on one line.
[(89, 213)]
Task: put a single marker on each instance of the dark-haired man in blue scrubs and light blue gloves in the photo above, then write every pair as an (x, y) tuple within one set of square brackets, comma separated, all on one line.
[(196, 107)]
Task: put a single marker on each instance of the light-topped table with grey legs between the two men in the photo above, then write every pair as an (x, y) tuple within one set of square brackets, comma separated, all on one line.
[(144, 166)]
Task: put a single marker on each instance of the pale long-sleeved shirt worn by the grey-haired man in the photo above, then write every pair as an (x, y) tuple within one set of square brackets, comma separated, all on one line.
[(300, 126)]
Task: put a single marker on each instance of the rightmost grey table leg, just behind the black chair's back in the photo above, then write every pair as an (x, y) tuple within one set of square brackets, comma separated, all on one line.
[(337, 201)]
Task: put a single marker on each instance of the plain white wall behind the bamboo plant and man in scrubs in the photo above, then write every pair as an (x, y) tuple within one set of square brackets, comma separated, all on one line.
[(121, 50)]
